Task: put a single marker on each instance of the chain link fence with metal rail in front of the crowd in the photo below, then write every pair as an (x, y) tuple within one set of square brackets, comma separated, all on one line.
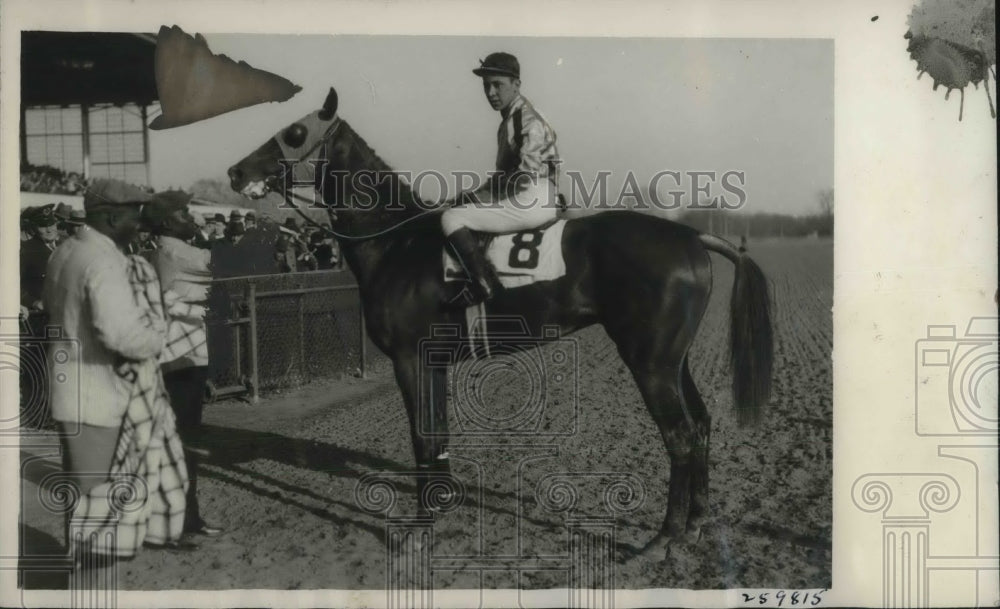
[(270, 332)]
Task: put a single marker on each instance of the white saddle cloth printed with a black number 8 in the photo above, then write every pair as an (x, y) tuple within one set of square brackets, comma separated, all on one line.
[(519, 258)]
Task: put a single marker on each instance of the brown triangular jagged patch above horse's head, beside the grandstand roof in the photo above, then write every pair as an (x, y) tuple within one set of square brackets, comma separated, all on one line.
[(195, 84)]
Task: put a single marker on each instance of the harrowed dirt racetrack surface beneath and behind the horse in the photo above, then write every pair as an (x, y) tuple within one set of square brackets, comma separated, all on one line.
[(283, 473)]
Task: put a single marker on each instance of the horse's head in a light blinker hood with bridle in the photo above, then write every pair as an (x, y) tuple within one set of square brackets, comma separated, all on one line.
[(283, 160)]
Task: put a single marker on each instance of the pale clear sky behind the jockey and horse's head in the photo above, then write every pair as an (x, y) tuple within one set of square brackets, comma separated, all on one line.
[(759, 106)]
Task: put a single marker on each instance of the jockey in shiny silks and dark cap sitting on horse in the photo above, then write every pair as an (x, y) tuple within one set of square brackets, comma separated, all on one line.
[(522, 193)]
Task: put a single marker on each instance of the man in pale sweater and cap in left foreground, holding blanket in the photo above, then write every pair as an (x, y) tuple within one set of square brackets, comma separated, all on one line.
[(88, 295)]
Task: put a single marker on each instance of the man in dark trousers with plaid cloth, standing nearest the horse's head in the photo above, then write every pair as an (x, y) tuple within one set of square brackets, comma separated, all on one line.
[(185, 276)]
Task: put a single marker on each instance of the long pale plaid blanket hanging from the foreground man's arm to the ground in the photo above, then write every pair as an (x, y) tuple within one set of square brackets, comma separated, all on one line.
[(144, 497)]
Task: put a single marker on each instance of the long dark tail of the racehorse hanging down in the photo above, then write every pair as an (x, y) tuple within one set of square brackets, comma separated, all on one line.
[(751, 337)]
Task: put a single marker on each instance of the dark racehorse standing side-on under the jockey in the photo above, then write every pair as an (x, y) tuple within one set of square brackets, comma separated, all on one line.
[(646, 280)]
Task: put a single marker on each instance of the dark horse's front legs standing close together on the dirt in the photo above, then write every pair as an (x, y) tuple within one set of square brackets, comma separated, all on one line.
[(424, 395)]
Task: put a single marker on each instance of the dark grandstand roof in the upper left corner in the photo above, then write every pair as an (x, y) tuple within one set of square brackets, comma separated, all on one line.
[(69, 68)]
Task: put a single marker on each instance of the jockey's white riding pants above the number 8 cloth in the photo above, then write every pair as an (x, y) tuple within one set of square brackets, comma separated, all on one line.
[(532, 207)]
